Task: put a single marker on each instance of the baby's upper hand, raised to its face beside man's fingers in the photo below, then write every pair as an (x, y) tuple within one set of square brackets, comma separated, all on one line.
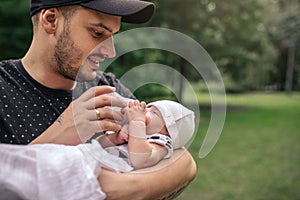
[(136, 111)]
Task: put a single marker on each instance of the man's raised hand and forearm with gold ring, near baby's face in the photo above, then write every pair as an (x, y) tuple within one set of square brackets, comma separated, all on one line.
[(80, 121)]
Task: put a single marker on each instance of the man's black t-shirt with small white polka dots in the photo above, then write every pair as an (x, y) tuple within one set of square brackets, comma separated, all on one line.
[(29, 108)]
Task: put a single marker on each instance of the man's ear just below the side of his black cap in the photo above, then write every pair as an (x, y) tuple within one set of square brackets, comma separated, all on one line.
[(49, 20)]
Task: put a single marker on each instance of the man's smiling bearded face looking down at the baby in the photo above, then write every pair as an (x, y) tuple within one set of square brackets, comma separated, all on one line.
[(85, 42)]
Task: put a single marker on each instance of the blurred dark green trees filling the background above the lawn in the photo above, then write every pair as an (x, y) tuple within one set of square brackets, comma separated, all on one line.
[(246, 39)]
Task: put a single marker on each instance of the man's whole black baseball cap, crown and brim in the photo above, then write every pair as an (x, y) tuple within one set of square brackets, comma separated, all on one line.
[(131, 11)]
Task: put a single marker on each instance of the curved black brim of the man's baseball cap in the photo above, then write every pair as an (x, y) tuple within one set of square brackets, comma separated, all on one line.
[(131, 11)]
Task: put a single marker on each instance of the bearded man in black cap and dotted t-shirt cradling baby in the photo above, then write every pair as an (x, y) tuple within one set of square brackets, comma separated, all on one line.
[(37, 103)]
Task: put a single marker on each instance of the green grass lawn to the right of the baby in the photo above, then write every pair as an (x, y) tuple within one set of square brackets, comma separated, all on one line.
[(257, 155)]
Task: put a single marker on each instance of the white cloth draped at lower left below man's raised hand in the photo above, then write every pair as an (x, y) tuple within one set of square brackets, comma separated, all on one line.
[(46, 171)]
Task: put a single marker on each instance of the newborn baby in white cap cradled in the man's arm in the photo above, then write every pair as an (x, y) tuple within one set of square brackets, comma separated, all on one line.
[(151, 134)]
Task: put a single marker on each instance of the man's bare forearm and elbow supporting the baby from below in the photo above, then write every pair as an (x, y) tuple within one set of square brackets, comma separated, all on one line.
[(163, 181)]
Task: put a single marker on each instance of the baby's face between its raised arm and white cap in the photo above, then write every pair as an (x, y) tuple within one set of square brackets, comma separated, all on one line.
[(154, 121)]
